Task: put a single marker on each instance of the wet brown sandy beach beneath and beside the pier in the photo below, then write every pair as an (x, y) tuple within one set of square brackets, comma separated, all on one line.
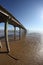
[(28, 51)]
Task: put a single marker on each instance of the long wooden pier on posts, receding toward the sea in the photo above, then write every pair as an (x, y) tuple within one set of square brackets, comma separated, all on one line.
[(8, 18)]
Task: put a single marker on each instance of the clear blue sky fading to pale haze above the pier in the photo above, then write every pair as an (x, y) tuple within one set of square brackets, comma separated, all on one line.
[(28, 12)]
